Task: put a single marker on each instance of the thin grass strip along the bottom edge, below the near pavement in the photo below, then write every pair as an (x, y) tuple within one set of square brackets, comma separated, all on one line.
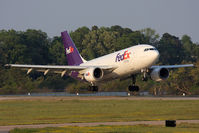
[(182, 128)]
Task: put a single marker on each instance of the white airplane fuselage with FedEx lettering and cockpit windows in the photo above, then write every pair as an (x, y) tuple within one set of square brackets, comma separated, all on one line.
[(127, 61)]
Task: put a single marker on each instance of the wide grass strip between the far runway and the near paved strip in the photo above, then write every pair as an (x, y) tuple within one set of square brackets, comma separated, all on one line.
[(39, 111)]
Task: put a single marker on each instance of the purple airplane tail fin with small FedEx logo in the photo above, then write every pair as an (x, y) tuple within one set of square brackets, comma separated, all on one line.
[(72, 54)]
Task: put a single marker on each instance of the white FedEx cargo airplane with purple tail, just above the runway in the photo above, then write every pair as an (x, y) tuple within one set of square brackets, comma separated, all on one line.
[(123, 64)]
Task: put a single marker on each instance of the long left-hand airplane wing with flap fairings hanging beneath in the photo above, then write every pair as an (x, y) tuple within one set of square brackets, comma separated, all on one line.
[(61, 69)]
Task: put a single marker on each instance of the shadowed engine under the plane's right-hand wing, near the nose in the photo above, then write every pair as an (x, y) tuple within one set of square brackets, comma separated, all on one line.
[(159, 74)]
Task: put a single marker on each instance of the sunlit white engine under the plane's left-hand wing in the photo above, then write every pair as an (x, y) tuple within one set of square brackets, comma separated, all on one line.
[(93, 74)]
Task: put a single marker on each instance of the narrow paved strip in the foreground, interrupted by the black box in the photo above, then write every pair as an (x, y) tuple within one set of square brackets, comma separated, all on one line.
[(6, 129)]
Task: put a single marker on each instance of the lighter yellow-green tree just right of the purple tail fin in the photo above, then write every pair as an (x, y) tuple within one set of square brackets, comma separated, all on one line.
[(99, 42)]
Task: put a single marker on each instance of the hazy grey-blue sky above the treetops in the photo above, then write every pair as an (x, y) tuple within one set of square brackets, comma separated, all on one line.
[(177, 17)]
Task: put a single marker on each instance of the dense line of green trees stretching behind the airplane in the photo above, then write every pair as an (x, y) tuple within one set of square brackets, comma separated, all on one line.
[(35, 47)]
